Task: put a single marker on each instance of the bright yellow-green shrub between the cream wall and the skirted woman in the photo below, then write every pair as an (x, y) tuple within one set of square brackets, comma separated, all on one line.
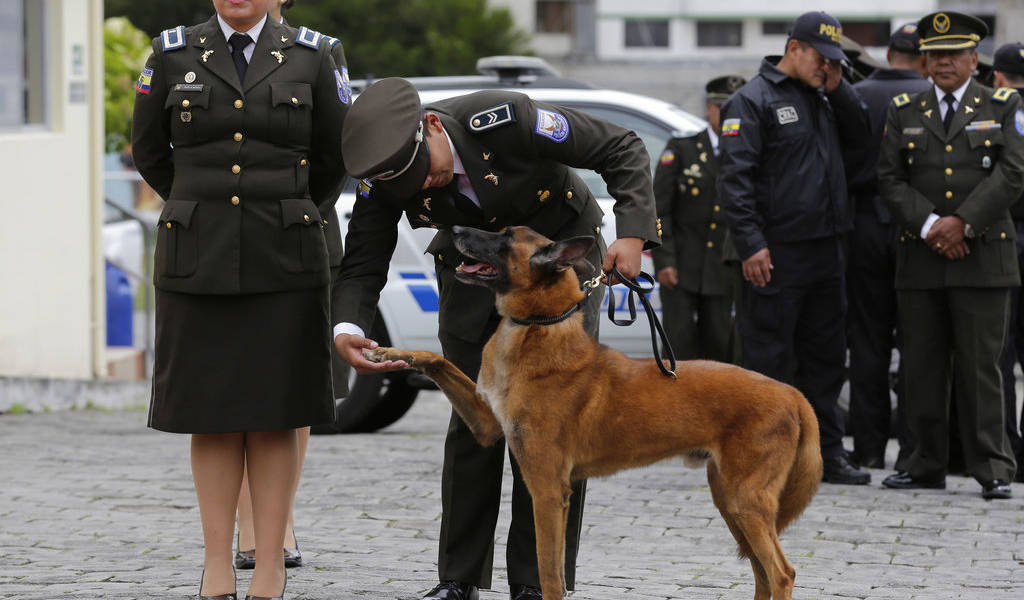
[(125, 52)]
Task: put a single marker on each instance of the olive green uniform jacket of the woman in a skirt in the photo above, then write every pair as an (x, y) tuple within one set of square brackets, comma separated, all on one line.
[(249, 173)]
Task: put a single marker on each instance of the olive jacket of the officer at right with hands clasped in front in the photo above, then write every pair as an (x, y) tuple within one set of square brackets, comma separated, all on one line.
[(975, 172)]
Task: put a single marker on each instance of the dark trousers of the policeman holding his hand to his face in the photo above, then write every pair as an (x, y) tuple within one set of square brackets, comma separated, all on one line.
[(799, 320)]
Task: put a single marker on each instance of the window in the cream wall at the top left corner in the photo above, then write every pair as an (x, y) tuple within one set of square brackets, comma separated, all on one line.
[(23, 81)]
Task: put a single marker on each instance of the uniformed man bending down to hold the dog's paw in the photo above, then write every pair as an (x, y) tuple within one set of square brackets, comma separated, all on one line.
[(487, 160)]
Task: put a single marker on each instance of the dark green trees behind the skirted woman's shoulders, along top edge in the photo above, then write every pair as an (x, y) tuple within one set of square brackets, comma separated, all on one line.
[(385, 38)]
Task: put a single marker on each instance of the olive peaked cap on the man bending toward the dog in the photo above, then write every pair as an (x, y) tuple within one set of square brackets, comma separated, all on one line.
[(383, 139)]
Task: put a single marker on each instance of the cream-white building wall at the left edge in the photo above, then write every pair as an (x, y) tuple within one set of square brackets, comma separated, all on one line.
[(51, 307)]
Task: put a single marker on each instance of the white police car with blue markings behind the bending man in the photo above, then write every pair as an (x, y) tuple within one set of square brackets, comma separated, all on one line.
[(408, 309)]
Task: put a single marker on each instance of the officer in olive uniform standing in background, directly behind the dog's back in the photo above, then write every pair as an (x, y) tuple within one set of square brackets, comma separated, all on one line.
[(698, 289)]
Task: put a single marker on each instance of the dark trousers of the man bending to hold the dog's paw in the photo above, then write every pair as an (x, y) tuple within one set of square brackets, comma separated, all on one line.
[(472, 485)]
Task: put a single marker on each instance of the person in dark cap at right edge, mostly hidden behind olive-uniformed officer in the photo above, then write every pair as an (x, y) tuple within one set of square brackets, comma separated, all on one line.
[(1008, 71)]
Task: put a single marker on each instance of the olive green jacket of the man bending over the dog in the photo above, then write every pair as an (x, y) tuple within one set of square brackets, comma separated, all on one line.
[(518, 155)]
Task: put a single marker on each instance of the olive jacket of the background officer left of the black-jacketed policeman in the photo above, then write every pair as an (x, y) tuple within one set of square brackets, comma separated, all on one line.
[(694, 230)]
